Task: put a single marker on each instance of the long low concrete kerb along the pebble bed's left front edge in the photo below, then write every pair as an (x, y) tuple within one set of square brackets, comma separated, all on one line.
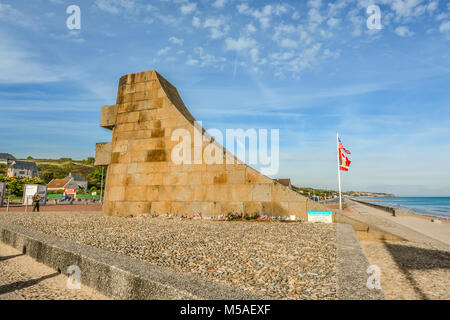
[(115, 275)]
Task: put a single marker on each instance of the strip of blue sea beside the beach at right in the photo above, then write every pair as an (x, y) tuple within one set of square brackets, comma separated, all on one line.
[(432, 206)]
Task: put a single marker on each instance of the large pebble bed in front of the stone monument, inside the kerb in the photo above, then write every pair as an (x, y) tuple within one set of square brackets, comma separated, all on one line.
[(276, 260)]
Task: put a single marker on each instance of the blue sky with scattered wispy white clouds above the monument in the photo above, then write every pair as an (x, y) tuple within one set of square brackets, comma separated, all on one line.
[(308, 68)]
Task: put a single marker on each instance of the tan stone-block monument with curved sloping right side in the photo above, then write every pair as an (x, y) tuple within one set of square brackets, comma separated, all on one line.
[(142, 178)]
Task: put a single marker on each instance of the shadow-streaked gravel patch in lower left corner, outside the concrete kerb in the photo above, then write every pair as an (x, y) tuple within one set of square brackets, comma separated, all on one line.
[(21, 277)]
